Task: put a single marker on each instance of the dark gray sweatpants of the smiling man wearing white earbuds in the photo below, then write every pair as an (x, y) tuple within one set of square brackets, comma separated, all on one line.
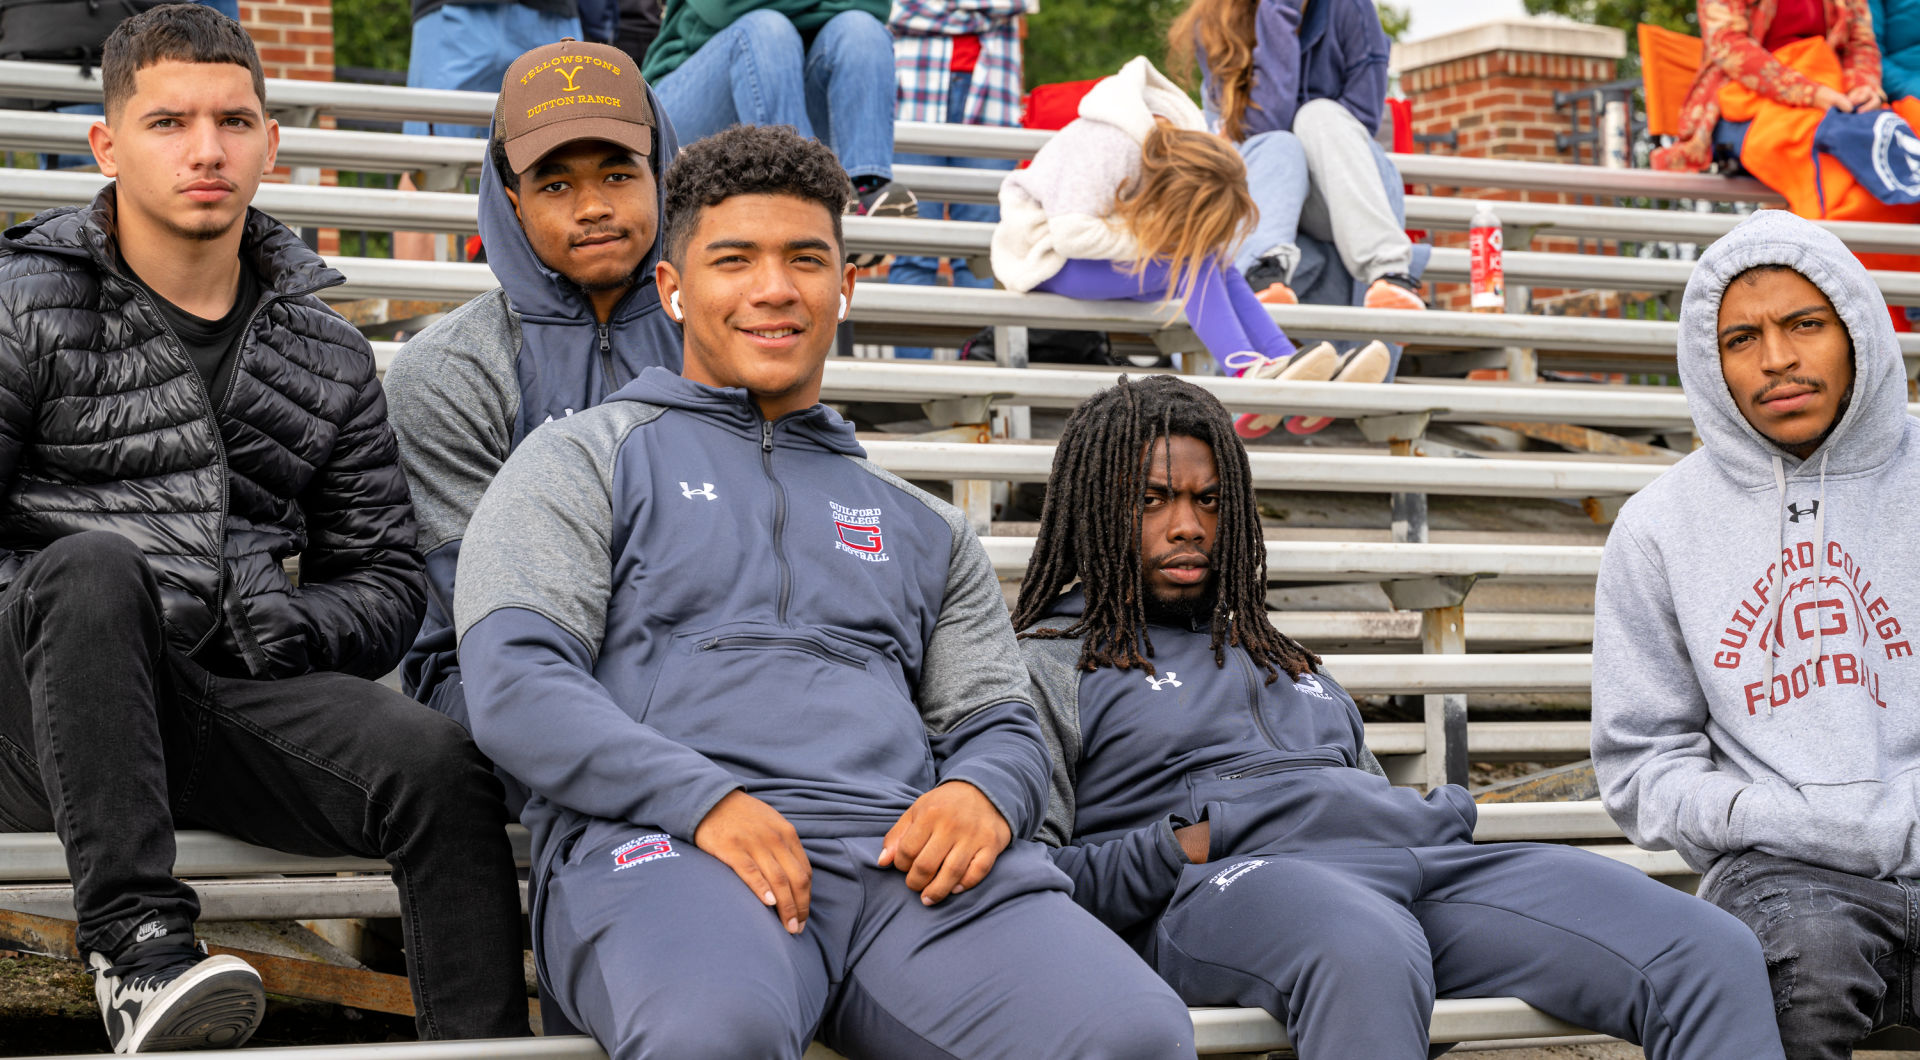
[(660, 952)]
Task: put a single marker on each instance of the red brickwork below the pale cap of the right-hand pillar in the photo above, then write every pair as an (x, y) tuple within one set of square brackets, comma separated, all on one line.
[(1502, 107)]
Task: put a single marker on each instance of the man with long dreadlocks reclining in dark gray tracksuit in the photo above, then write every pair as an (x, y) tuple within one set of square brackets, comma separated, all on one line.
[(1216, 806)]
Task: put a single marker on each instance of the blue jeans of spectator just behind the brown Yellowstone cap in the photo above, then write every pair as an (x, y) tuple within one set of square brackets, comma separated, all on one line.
[(469, 47)]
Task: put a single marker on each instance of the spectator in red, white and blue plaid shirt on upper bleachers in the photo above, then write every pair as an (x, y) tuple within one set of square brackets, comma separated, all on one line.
[(957, 62)]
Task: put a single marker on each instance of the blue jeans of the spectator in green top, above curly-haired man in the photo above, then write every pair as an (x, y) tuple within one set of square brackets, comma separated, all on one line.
[(759, 72)]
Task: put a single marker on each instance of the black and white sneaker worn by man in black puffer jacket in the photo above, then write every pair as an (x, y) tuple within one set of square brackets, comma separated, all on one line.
[(164, 996)]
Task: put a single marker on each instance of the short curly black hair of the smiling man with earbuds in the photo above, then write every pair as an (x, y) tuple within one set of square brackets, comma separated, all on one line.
[(752, 160)]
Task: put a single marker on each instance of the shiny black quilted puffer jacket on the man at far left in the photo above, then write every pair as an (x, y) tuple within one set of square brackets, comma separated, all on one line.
[(107, 425)]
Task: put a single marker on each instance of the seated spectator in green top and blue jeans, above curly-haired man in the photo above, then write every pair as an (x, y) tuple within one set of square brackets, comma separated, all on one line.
[(821, 66)]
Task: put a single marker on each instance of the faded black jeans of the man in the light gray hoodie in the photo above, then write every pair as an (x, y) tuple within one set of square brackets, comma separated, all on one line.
[(1840, 950)]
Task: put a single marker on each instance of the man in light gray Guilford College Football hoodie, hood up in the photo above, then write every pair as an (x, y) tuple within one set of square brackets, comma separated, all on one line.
[(1754, 669)]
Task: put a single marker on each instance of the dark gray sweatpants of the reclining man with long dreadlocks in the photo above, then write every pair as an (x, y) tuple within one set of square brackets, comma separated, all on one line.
[(1351, 948)]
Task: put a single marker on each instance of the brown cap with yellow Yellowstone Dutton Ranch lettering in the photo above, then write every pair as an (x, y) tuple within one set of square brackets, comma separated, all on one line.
[(573, 91)]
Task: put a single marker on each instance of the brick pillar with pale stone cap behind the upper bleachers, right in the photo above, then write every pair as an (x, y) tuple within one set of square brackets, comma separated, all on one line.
[(1493, 85)]
